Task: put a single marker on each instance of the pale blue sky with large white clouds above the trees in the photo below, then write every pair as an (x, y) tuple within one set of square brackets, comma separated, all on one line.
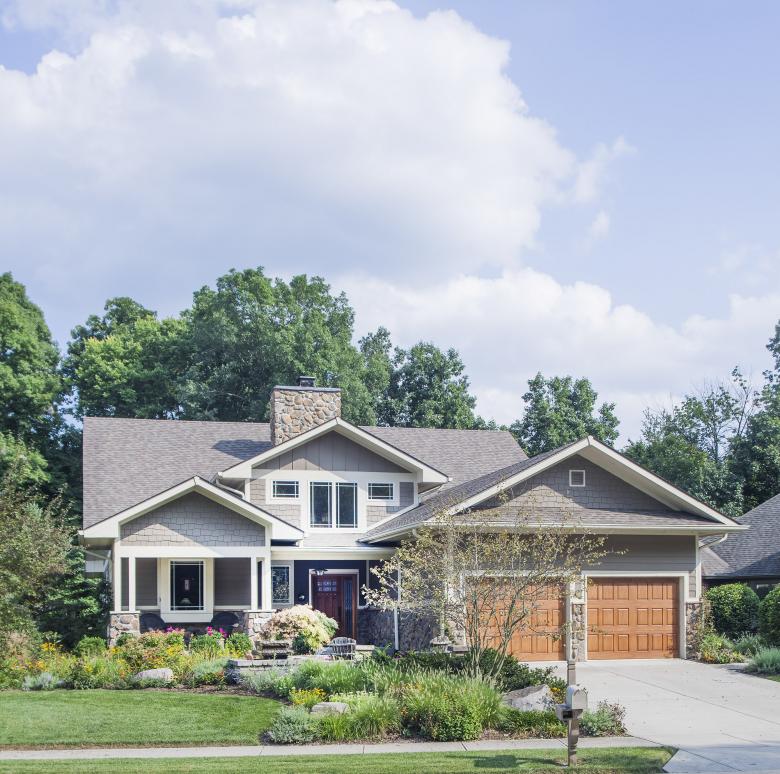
[(586, 188)]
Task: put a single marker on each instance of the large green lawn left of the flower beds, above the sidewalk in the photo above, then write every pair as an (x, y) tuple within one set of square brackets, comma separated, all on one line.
[(117, 718)]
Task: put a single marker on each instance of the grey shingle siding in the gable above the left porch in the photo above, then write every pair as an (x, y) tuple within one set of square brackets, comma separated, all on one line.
[(192, 520)]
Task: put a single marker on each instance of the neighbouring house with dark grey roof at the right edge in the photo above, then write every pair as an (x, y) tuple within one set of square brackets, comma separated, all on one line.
[(751, 557)]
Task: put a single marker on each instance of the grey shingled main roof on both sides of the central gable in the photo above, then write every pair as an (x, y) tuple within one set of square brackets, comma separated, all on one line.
[(127, 461)]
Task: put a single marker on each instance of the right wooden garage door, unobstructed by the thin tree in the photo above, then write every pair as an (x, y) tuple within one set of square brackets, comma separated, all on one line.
[(633, 618)]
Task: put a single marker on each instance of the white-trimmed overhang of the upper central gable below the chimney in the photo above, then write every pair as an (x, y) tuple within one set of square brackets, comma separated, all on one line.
[(428, 474)]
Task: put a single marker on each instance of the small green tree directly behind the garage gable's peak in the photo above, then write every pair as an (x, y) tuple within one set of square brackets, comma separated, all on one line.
[(560, 410)]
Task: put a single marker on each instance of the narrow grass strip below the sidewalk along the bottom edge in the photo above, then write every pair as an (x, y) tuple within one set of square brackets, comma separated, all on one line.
[(632, 760)]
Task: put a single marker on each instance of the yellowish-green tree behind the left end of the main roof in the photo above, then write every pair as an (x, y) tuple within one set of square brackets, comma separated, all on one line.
[(127, 363)]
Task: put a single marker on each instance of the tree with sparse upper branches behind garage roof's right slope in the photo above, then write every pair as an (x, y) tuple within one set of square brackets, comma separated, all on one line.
[(691, 444)]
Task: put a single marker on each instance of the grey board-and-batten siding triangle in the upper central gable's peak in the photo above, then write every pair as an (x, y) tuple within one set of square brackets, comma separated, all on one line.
[(332, 452)]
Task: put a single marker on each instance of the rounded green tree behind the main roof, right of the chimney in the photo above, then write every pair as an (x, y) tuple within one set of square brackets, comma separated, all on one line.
[(428, 388)]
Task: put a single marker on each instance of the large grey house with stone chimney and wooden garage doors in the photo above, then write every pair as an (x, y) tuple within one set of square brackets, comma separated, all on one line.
[(199, 517)]
